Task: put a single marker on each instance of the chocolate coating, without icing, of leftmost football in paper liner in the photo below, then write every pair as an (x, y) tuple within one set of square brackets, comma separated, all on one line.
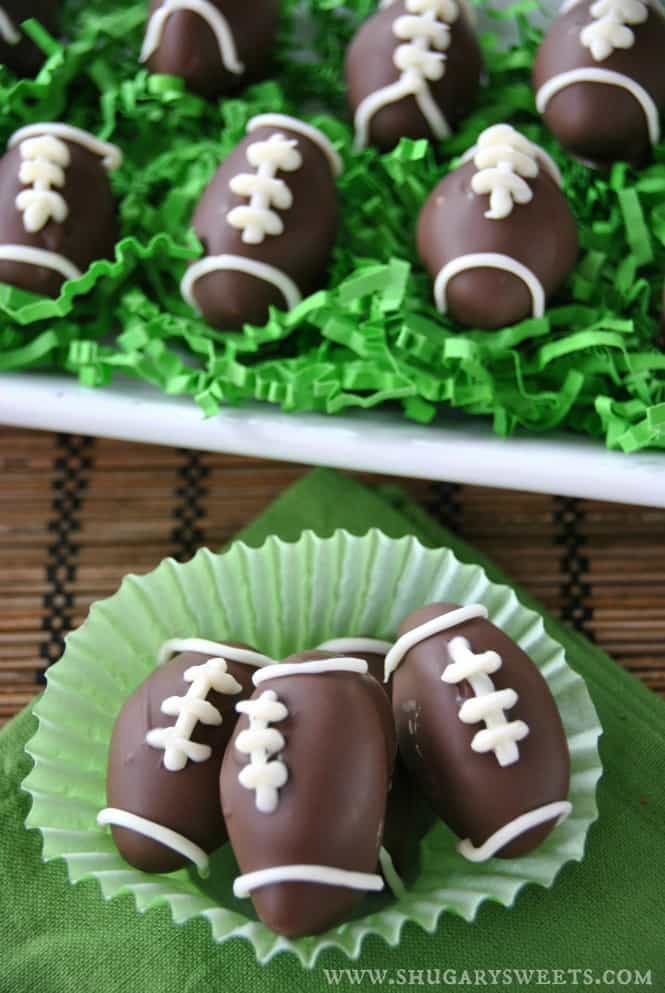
[(187, 801)]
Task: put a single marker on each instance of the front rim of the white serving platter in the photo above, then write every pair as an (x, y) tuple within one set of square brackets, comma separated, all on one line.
[(457, 449)]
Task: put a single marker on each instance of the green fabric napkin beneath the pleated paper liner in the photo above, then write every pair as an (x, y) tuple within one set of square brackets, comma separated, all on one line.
[(603, 914)]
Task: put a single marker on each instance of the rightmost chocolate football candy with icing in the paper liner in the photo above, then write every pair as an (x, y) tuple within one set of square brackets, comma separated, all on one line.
[(479, 729)]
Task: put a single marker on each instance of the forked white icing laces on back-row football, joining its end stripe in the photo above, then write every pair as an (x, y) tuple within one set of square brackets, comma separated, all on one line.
[(425, 31)]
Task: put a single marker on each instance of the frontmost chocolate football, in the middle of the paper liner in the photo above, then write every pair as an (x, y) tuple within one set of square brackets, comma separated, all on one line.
[(303, 790)]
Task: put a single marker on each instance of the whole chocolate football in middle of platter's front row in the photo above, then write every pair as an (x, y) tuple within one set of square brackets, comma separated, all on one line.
[(268, 221)]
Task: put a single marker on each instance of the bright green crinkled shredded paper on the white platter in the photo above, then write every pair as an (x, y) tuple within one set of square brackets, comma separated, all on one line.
[(593, 364)]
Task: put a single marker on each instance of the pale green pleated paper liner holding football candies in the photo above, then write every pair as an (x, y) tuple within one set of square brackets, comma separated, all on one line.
[(283, 597)]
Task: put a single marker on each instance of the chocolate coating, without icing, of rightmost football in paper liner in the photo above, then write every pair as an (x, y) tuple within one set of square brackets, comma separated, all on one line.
[(470, 791)]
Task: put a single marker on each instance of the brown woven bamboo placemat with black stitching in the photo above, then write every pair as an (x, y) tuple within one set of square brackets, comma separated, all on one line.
[(78, 513)]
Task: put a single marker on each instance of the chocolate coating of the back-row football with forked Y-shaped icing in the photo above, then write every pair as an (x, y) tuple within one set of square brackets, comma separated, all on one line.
[(370, 67)]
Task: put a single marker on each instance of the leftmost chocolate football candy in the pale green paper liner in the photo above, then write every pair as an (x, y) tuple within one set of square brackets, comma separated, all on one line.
[(166, 752)]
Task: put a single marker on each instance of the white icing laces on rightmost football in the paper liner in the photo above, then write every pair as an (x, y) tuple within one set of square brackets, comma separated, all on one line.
[(488, 705)]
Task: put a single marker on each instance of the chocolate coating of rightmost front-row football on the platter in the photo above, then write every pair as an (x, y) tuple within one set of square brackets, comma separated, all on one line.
[(541, 234)]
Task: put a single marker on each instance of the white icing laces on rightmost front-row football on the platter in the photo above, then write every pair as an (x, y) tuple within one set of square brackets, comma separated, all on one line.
[(504, 159)]
